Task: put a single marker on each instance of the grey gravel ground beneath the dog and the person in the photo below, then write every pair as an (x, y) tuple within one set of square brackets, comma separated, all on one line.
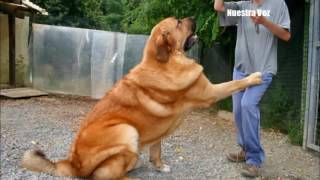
[(195, 151)]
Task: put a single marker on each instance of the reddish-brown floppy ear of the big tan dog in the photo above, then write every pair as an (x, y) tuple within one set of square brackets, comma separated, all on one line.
[(162, 47)]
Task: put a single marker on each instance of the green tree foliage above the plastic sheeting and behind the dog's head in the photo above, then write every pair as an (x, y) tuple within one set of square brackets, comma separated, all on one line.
[(132, 16)]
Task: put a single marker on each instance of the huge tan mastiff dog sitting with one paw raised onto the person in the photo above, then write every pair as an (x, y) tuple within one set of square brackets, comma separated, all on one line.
[(141, 109)]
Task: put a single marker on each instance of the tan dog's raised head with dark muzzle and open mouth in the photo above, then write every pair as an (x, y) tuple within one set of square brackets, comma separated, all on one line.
[(172, 35)]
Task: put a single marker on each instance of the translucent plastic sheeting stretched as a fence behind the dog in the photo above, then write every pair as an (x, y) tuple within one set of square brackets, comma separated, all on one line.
[(82, 61)]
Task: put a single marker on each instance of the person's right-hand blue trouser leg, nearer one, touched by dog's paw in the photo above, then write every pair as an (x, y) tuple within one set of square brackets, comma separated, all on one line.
[(251, 121)]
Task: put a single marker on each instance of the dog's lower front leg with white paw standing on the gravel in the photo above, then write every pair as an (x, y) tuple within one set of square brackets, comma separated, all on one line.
[(155, 158)]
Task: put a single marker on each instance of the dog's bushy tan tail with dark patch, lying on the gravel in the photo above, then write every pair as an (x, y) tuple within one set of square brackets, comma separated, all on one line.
[(35, 160)]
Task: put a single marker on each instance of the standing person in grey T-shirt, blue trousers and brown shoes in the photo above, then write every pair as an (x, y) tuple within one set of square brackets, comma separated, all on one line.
[(259, 25)]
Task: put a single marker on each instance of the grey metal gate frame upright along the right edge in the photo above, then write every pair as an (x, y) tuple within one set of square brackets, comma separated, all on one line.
[(311, 127)]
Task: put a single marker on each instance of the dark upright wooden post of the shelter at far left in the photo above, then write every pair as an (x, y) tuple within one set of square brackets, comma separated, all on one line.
[(12, 49)]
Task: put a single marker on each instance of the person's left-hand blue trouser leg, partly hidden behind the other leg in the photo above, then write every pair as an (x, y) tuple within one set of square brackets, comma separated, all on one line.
[(236, 107)]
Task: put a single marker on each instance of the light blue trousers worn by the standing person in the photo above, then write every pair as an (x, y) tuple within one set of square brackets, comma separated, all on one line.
[(247, 117)]
